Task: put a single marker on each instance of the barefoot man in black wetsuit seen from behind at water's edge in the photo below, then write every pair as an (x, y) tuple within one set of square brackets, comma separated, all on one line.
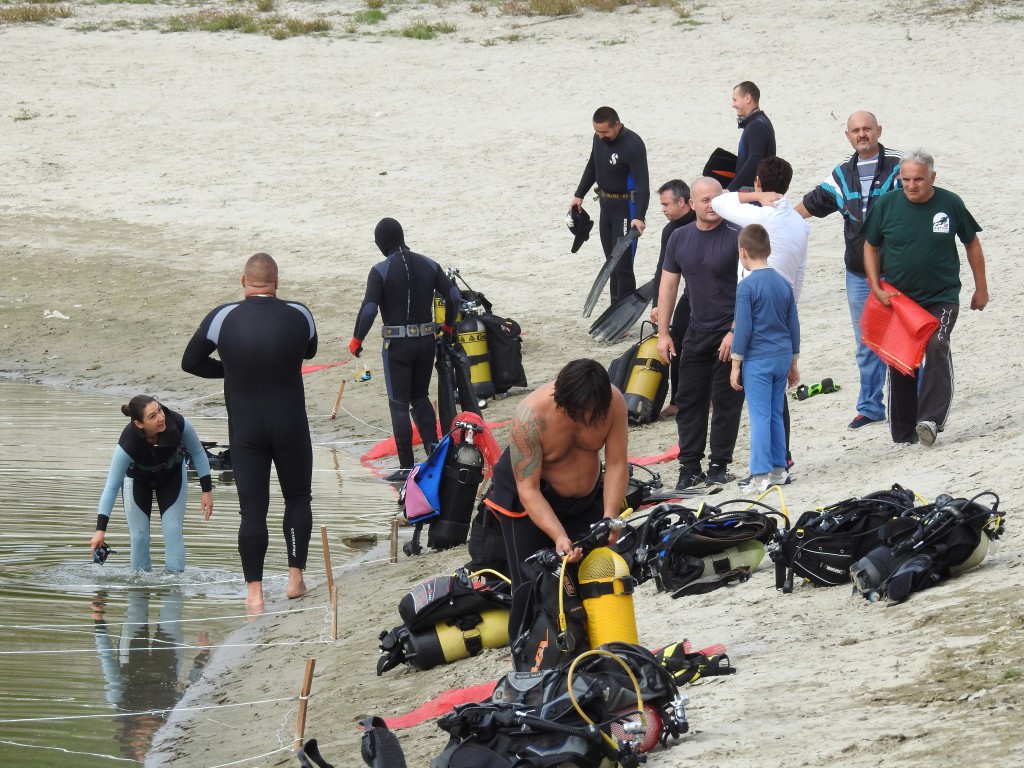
[(262, 343)]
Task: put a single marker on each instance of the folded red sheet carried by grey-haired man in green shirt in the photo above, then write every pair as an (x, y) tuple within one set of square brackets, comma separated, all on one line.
[(900, 333)]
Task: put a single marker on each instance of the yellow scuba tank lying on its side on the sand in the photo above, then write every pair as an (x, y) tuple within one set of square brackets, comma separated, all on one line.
[(447, 643)]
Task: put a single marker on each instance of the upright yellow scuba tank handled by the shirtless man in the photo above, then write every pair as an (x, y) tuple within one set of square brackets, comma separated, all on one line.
[(607, 591)]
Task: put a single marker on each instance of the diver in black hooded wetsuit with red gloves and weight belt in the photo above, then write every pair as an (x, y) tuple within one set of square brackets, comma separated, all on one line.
[(403, 289)]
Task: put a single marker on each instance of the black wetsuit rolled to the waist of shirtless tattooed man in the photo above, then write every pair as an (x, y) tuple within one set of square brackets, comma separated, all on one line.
[(523, 537)]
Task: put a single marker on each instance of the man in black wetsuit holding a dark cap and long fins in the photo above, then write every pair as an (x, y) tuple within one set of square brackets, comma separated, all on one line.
[(619, 166)]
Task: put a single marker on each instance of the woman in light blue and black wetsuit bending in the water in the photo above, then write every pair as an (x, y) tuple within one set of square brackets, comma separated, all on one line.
[(149, 462)]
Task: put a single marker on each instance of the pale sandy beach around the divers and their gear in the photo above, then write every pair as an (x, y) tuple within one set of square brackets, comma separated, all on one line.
[(144, 166)]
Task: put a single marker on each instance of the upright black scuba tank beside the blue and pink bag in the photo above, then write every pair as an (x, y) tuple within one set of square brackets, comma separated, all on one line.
[(461, 479)]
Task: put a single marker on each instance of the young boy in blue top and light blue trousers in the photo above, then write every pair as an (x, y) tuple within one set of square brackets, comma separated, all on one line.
[(765, 349)]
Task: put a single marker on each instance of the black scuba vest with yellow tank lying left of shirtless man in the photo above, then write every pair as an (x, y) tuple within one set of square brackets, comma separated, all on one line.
[(447, 619)]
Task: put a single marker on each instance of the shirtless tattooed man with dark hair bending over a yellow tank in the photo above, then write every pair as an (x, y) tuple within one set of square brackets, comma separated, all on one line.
[(548, 488)]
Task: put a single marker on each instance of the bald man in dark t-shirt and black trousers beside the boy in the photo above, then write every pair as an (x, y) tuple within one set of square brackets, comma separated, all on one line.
[(706, 254)]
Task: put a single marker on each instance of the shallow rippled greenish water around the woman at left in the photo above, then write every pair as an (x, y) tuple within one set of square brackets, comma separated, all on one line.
[(93, 656)]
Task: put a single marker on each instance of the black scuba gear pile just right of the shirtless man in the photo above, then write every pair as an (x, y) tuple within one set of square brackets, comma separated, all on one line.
[(691, 553)]
